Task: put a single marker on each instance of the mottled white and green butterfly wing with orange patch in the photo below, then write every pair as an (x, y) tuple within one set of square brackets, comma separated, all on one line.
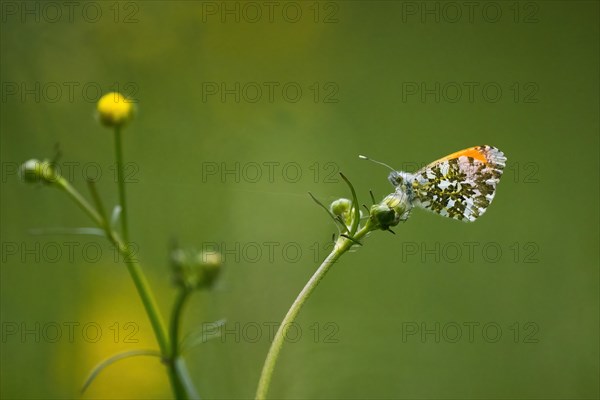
[(461, 185)]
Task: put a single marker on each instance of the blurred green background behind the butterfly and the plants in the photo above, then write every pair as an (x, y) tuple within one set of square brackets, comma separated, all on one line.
[(506, 307)]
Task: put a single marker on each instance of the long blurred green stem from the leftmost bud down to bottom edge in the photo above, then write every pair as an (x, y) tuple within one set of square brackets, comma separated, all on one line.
[(141, 284)]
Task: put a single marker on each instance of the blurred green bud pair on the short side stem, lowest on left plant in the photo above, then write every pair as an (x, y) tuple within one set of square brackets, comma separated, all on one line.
[(195, 269)]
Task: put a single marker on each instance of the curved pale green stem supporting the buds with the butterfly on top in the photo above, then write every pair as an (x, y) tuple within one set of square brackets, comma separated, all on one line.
[(341, 247)]
